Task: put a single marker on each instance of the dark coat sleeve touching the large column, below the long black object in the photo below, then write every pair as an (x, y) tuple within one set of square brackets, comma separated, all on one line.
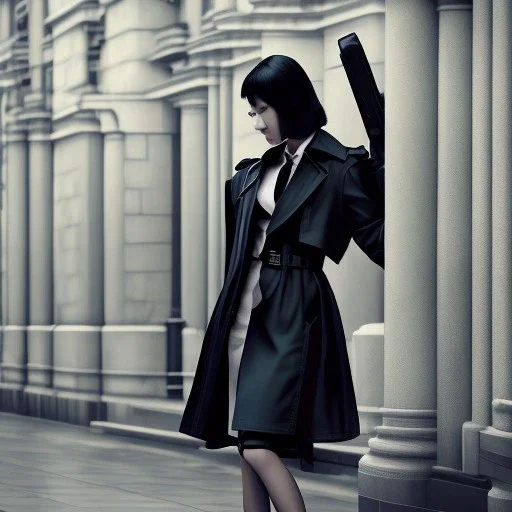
[(363, 207)]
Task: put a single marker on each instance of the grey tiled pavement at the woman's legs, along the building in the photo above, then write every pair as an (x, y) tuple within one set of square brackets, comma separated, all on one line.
[(48, 466)]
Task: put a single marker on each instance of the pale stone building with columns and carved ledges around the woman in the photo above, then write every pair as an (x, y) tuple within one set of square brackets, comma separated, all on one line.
[(121, 121)]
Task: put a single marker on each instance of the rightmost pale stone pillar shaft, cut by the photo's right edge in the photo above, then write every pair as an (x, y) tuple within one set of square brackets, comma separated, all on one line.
[(502, 202)]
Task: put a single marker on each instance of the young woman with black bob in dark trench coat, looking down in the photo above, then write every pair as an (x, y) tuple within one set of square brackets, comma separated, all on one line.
[(273, 375)]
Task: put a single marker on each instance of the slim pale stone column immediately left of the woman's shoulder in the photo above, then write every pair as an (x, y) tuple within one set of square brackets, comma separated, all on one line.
[(214, 197)]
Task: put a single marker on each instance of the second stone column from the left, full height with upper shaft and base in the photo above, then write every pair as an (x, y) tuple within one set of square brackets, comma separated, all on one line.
[(39, 337)]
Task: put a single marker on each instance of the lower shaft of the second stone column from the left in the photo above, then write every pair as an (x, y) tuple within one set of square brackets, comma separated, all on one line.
[(39, 340)]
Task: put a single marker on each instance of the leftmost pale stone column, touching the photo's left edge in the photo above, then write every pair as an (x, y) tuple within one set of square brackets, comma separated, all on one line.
[(14, 356)]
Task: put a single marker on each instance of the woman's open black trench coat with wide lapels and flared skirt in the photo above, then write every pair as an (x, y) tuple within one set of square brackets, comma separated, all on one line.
[(294, 373)]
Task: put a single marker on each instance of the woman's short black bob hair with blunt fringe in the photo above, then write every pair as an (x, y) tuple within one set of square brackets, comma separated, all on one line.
[(281, 82)]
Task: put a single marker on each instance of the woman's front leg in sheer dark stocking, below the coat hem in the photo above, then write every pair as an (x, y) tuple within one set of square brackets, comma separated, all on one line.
[(278, 481)]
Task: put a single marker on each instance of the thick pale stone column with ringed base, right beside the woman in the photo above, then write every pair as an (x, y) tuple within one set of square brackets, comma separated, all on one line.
[(401, 457)]
